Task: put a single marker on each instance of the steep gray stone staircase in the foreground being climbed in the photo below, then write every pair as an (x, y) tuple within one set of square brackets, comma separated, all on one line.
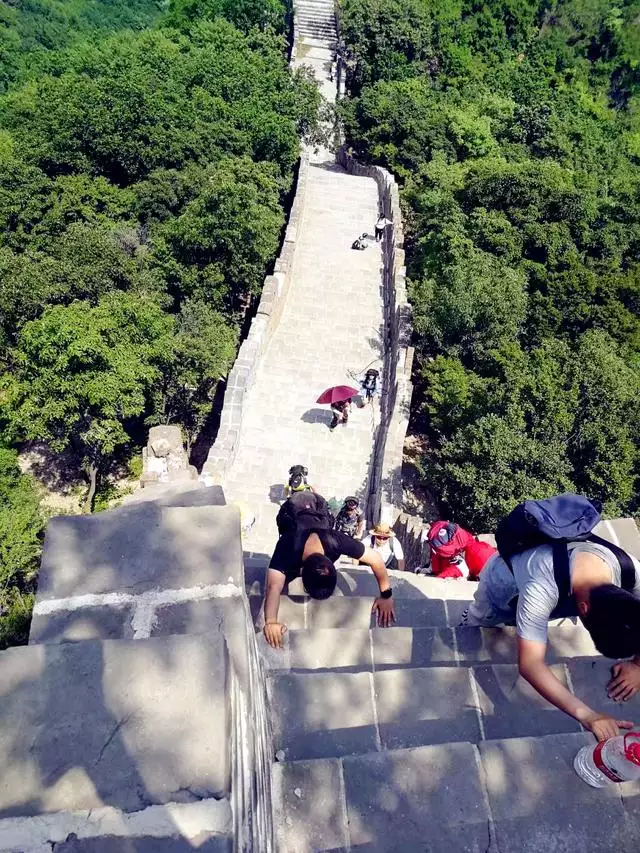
[(423, 737)]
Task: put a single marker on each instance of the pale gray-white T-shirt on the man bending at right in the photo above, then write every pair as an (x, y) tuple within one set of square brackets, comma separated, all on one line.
[(538, 593)]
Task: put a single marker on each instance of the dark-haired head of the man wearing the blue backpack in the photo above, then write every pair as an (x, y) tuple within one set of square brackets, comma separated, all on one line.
[(612, 617)]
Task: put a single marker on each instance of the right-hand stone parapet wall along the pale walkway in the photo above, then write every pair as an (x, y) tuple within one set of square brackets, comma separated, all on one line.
[(385, 482)]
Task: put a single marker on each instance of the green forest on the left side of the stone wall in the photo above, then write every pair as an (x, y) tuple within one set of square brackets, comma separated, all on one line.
[(147, 158)]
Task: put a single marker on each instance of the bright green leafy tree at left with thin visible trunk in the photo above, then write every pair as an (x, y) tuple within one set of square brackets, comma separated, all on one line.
[(82, 371)]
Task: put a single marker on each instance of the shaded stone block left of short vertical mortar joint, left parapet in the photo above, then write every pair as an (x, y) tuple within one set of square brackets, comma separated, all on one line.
[(88, 623)]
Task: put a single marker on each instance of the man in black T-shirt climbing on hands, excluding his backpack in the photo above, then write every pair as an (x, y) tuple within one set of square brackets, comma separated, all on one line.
[(311, 554)]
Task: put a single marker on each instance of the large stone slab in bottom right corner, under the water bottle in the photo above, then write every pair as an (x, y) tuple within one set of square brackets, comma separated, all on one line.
[(540, 805)]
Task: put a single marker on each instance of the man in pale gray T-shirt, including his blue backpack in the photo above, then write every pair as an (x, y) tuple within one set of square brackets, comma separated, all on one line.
[(551, 565)]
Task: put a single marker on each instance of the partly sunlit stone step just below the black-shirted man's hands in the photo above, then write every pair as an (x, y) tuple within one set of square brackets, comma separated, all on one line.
[(358, 650)]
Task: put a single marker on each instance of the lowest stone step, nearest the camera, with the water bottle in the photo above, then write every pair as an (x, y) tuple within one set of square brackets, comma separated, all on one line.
[(505, 796)]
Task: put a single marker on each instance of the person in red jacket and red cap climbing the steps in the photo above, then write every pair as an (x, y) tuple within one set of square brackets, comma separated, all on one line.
[(456, 553)]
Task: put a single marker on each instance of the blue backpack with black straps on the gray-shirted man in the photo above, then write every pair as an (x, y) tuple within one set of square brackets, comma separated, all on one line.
[(557, 521)]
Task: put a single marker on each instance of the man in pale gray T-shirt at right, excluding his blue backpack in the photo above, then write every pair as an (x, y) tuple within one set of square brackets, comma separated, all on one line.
[(528, 597)]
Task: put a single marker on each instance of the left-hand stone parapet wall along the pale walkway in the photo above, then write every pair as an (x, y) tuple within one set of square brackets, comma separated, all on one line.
[(241, 378)]
